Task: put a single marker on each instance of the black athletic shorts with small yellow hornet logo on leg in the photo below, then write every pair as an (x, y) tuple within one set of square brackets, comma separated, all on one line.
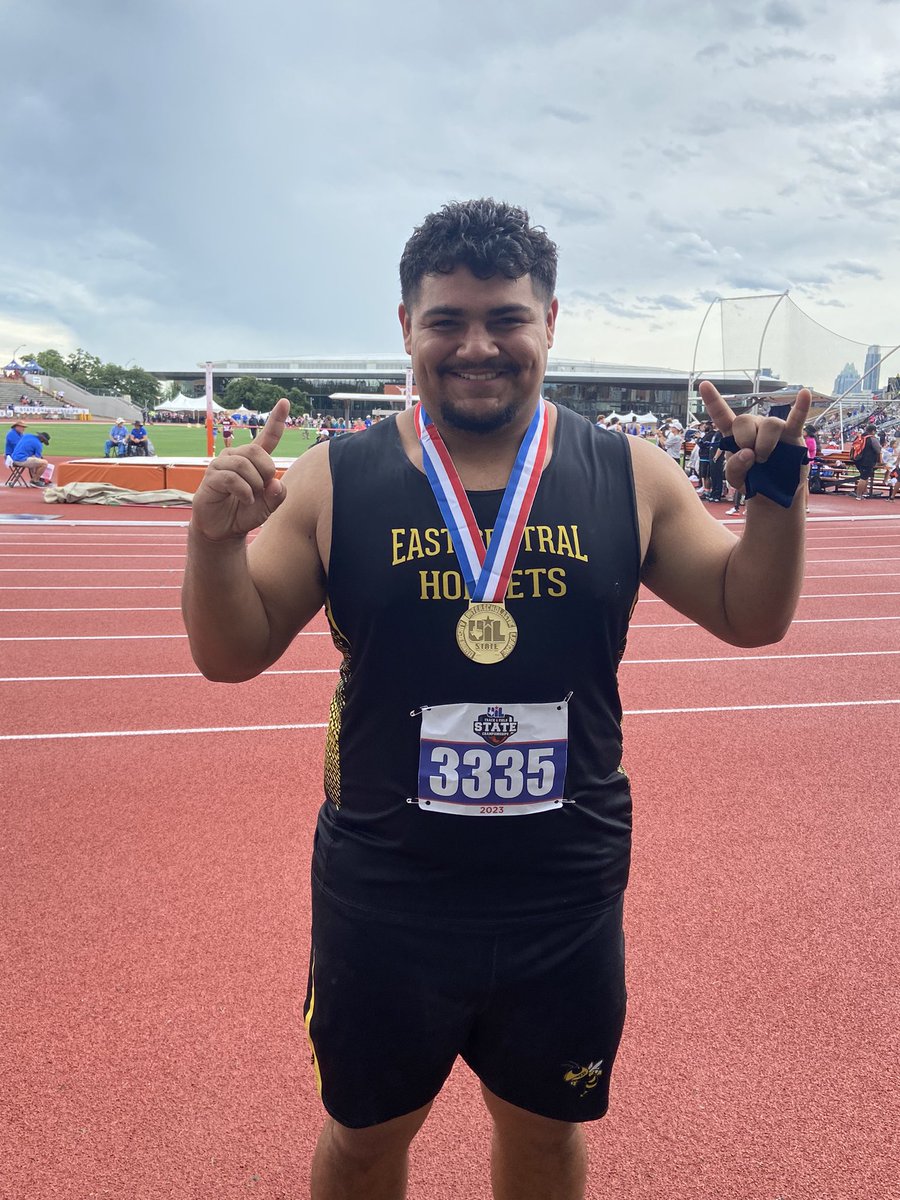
[(535, 1007)]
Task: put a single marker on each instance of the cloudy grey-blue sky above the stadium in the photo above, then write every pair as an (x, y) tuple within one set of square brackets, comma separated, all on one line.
[(191, 179)]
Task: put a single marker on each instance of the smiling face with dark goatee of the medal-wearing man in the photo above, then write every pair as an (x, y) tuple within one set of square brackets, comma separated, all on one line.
[(479, 349)]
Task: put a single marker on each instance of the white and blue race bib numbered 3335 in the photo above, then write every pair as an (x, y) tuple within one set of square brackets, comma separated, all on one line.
[(493, 760)]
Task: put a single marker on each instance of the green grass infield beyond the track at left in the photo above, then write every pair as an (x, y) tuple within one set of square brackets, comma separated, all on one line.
[(86, 440)]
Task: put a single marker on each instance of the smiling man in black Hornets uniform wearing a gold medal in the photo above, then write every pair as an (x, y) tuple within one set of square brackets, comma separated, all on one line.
[(441, 928)]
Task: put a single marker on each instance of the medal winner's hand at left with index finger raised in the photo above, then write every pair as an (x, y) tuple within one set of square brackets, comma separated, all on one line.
[(241, 490)]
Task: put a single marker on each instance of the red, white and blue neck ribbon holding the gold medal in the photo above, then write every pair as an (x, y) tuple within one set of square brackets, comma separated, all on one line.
[(487, 571)]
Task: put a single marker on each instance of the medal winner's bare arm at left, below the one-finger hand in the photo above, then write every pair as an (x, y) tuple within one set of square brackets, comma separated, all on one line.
[(244, 604)]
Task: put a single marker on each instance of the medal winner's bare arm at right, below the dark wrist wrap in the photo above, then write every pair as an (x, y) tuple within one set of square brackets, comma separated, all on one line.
[(743, 591)]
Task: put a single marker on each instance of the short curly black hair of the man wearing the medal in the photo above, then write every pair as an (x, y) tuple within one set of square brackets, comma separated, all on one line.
[(488, 237)]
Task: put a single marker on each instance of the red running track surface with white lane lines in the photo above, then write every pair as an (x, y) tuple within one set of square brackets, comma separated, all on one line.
[(155, 914)]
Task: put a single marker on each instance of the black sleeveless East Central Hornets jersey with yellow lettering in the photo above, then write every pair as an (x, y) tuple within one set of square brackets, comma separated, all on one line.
[(395, 595)]
